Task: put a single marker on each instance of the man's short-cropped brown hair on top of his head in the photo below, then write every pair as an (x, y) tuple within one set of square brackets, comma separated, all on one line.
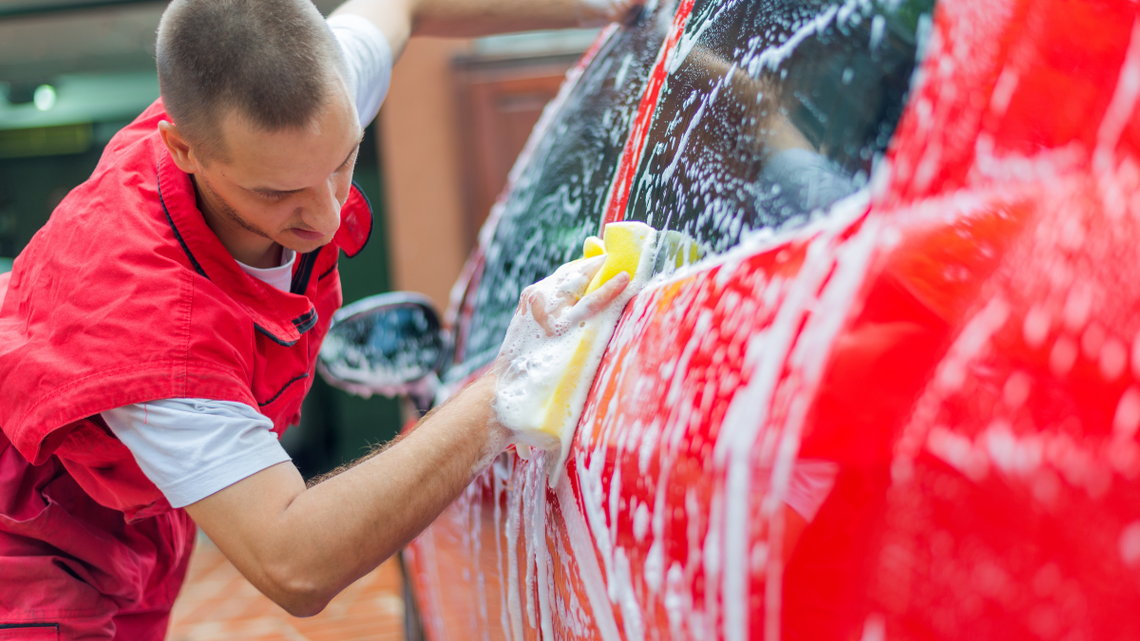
[(271, 62)]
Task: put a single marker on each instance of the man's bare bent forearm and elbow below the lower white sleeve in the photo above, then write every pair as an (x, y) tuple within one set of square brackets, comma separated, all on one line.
[(302, 547)]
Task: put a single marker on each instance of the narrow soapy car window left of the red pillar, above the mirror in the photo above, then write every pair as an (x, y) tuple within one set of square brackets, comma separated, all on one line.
[(558, 200)]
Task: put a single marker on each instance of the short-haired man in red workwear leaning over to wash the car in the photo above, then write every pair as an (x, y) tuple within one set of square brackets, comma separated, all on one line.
[(161, 331)]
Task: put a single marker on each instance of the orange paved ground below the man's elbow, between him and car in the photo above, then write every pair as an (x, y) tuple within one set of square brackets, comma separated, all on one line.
[(217, 603)]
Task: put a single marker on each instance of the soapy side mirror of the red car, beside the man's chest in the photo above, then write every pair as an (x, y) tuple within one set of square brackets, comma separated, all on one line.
[(389, 344)]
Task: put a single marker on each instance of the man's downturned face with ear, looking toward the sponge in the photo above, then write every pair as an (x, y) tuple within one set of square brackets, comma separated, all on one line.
[(284, 188)]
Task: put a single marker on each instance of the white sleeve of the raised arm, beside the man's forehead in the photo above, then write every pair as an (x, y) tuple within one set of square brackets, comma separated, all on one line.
[(369, 59)]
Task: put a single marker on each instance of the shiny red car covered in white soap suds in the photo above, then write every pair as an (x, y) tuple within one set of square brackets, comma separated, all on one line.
[(899, 394)]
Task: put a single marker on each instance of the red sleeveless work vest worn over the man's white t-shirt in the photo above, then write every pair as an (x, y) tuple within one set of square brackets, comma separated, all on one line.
[(126, 296)]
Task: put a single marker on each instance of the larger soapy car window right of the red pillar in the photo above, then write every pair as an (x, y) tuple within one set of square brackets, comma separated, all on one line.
[(775, 110)]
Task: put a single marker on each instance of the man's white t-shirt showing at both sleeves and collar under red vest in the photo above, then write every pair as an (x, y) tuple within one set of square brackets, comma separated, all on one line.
[(193, 448)]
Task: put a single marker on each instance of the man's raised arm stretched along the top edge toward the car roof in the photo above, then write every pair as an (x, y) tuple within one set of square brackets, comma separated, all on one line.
[(400, 20)]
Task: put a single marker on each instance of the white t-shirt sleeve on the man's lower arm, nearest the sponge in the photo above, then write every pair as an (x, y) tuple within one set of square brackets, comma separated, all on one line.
[(193, 448)]
